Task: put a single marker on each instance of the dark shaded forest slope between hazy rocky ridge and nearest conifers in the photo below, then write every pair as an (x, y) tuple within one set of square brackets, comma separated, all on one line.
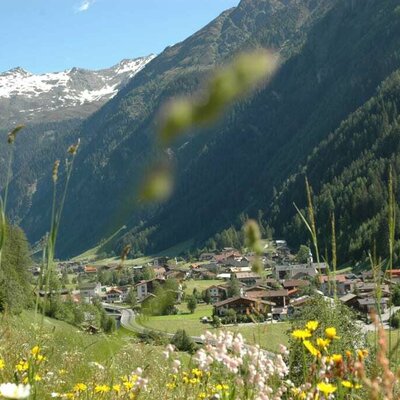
[(347, 55)]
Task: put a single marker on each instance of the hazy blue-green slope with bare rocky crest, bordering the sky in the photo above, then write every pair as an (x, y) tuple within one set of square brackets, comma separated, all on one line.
[(117, 139)]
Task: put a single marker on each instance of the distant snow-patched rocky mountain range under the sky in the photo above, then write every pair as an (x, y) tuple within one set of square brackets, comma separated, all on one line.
[(71, 93)]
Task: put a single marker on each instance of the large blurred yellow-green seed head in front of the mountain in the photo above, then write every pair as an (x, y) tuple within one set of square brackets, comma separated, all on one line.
[(245, 73)]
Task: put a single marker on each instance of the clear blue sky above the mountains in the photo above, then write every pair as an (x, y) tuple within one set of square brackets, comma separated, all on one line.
[(53, 35)]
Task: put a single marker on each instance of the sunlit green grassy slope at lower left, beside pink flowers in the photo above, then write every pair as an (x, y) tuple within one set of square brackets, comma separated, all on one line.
[(72, 356)]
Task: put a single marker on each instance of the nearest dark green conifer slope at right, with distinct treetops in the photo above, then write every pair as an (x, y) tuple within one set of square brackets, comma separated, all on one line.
[(349, 172)]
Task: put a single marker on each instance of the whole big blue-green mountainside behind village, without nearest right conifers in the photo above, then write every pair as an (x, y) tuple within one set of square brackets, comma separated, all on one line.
[(334, 56)]
